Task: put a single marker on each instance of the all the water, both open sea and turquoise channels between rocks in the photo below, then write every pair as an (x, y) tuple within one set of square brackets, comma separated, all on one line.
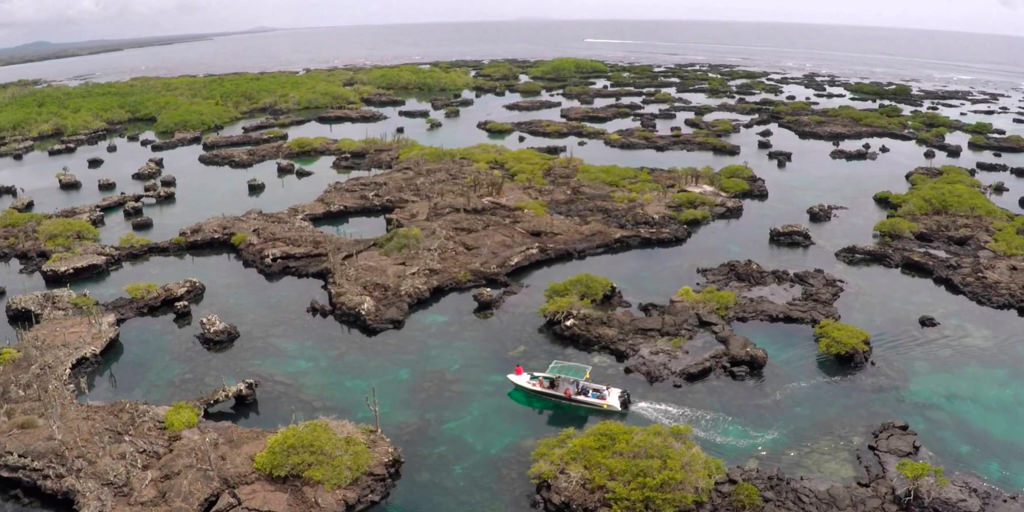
[(441, 378)]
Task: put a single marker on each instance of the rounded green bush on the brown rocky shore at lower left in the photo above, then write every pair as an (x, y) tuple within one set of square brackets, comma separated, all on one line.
[(316, 452)]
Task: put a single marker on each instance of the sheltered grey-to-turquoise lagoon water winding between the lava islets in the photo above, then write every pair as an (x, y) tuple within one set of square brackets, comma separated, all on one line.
[(445, 402)]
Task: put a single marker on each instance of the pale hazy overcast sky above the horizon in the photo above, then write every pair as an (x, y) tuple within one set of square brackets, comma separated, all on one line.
[(24, 21)]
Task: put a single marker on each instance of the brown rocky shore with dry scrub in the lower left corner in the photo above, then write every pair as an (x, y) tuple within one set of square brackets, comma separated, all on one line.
[(98, 457)]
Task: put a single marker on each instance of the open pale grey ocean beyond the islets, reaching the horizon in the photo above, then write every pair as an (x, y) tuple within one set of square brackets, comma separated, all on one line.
[(927, 56)]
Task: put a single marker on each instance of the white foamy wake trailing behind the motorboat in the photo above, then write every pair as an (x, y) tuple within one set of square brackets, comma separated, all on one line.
[(708, 425)]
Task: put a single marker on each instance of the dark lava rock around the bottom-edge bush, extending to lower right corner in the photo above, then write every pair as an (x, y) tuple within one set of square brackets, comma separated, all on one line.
[(879, 487)]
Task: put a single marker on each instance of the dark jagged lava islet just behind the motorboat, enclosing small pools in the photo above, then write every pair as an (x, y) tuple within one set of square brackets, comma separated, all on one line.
[(689, 340)]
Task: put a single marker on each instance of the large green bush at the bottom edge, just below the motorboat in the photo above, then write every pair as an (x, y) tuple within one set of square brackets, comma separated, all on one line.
[(636, 470)]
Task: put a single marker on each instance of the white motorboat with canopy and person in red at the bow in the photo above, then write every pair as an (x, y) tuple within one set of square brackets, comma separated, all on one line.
[(570, 382)]
